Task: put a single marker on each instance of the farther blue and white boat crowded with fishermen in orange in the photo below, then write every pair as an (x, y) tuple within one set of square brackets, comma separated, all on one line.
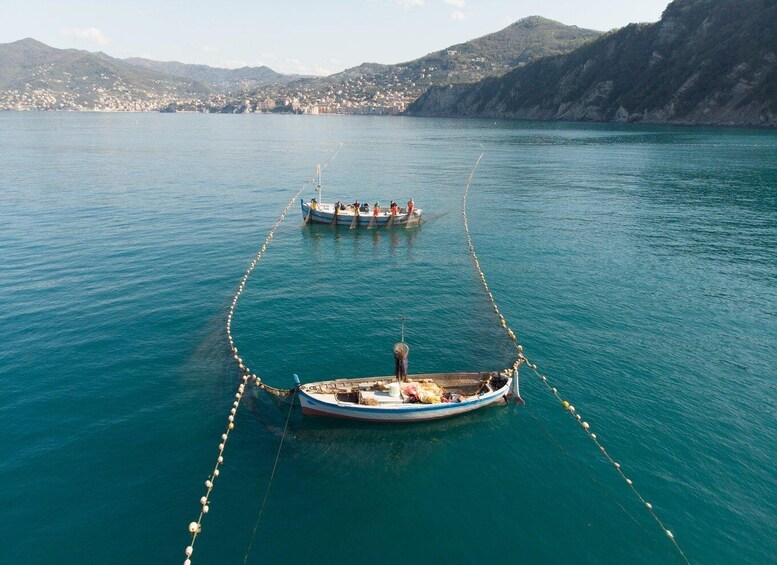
[(358, 214)]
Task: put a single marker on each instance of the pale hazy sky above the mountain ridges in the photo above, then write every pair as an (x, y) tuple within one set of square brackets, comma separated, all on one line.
[(294, 36)]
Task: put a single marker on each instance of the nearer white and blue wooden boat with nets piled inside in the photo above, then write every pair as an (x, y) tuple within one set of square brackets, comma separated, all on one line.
[(421, 397)]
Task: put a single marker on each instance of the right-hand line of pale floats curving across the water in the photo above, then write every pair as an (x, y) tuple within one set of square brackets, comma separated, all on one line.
[(571, 410)]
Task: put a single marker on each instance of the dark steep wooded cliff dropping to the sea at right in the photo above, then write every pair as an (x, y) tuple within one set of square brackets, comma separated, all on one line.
[(704, 62)]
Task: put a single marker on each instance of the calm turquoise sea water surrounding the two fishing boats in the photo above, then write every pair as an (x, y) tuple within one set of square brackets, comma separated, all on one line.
[(638, 266)]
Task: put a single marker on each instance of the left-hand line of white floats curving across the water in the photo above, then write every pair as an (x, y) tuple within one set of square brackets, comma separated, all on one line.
[(195, 528)]
